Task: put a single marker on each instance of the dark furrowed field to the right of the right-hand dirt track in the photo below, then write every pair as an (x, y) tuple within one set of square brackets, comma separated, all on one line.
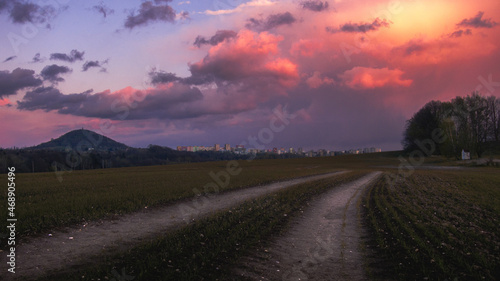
[(436, 225)]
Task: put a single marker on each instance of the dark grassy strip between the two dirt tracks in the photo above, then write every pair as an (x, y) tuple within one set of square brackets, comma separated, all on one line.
[(207, 249)]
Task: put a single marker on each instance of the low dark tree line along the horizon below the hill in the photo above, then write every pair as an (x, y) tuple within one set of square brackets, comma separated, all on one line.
[(48, 160)]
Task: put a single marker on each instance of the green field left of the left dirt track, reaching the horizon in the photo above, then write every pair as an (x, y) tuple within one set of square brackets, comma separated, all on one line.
[(43, 202)]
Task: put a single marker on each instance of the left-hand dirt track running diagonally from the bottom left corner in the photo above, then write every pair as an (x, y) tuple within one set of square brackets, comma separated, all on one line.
[(74, 246)]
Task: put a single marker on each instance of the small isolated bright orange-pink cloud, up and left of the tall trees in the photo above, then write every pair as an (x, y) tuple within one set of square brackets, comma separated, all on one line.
[(370, 78)]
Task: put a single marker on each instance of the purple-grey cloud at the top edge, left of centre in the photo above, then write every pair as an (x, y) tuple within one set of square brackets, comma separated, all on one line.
[(149, 12)]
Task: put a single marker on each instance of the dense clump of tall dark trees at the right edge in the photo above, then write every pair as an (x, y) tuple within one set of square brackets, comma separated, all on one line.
[(470, 123)]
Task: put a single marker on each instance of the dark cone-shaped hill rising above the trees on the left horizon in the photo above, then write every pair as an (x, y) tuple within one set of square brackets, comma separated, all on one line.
[(82, 140)]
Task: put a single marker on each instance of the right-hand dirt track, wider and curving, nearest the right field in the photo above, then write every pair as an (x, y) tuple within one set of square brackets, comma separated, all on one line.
[(322, 244)]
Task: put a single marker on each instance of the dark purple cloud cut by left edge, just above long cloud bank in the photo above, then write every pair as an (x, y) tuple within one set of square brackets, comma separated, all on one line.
[(11, 82)]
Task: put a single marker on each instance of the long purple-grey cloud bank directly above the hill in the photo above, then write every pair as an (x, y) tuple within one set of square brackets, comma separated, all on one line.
[(161, 103)]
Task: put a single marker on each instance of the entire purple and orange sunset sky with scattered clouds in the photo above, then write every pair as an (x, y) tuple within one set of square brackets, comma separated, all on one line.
[(172, 73)]
